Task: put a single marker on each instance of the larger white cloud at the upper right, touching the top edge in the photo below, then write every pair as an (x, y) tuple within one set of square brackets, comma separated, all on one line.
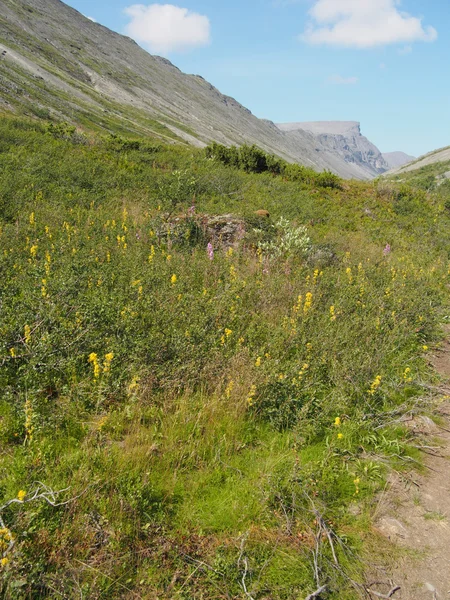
[(364, 24)]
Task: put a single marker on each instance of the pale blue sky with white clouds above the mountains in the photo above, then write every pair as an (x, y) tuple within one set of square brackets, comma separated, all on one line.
[(384, 63)]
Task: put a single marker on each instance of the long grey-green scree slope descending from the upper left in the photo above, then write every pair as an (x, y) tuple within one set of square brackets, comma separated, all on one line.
[(55, 62)]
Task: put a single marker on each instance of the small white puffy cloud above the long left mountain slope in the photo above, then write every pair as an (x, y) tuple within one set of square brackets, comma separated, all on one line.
[(166, 28)]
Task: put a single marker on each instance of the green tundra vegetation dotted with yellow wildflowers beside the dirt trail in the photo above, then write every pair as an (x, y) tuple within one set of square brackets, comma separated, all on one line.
[(181, 418)]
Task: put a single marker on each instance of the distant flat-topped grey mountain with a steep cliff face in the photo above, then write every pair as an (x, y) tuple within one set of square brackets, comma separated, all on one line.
[(344, 140)]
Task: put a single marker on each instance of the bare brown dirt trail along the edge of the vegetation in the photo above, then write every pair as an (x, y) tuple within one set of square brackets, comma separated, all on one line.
[(415, 514)]
